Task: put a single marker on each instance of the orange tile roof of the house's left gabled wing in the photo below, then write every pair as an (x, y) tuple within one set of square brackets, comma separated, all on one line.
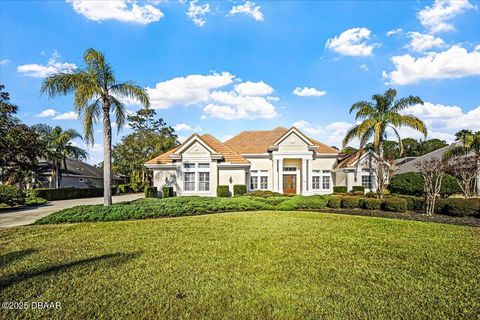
[(228, 154)]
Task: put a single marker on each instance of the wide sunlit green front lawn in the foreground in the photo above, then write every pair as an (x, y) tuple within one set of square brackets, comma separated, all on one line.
[(259, 265)]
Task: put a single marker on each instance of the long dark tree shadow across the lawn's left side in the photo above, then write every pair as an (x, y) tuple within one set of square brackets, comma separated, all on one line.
[(107, 260)]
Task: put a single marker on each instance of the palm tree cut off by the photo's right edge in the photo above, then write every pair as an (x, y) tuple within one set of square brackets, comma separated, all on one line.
[(468, 143)]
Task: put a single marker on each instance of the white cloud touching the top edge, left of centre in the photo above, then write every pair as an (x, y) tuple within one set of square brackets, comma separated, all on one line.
[(120, 10)]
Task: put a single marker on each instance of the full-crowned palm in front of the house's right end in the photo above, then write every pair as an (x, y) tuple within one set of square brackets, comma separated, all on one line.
[(379, 117)]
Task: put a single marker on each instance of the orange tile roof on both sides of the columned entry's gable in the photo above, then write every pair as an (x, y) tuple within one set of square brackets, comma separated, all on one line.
[(252, 142)]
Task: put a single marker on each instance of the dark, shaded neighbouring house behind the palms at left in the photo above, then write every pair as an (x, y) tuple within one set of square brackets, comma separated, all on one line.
[(76, 174)]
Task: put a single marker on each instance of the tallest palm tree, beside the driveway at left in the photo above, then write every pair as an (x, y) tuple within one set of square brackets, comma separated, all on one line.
[(96, 94)]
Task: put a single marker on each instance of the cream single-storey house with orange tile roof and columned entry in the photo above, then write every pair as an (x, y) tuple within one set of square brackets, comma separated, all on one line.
[(281, 160)]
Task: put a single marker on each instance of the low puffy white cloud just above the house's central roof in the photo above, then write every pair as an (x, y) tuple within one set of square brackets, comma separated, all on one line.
[(231, 106)]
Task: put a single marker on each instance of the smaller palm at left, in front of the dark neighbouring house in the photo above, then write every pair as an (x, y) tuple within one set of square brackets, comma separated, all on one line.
[(57, 146)]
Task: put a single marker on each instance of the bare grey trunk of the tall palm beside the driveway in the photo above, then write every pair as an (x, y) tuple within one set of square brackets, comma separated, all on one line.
[(107, 156)]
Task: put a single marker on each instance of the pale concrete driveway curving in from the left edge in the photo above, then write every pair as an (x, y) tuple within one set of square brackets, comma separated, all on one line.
[(21, 217)]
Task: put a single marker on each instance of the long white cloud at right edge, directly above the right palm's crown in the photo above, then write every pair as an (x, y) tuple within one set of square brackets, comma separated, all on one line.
[(456, 62)]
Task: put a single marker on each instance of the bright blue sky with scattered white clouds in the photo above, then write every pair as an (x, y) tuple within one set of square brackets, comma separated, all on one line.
[(224, 67)]
